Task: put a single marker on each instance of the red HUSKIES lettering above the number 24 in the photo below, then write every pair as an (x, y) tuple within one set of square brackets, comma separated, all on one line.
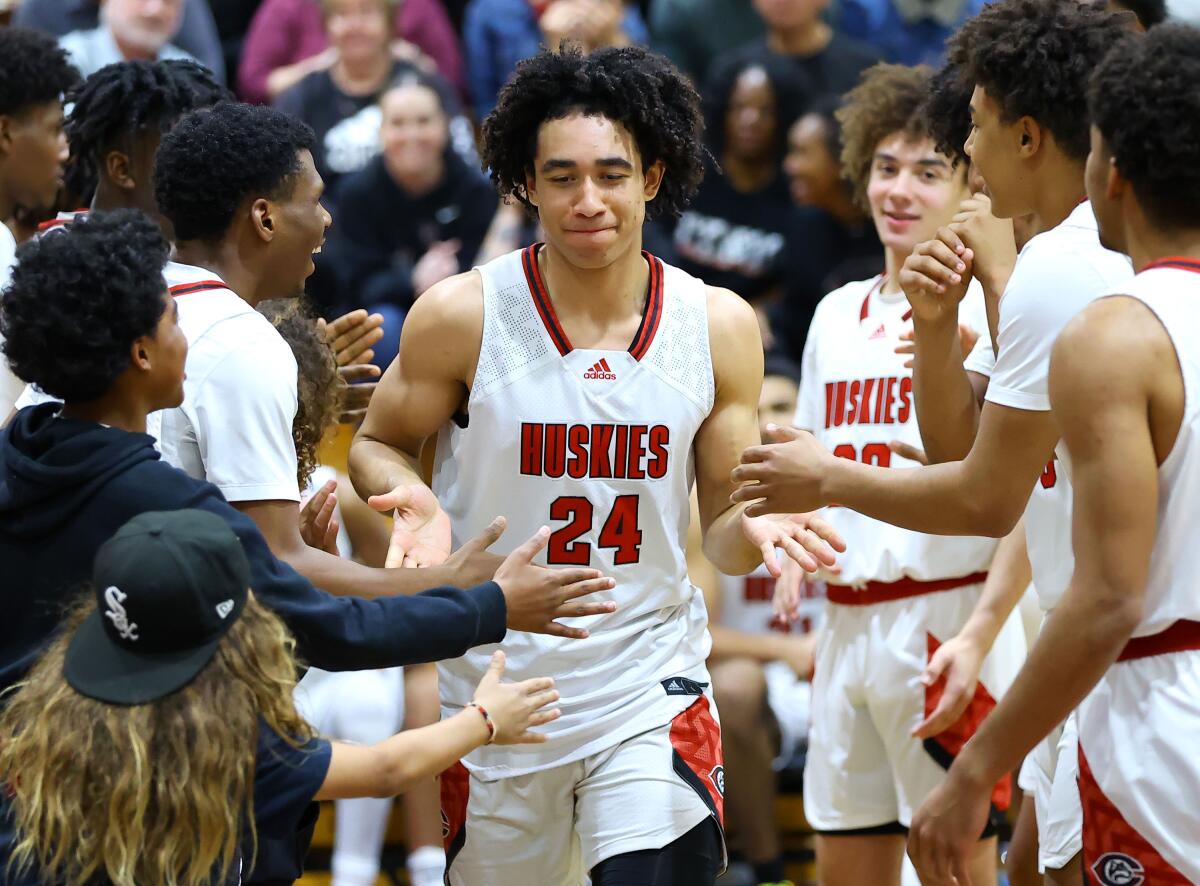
[(601, 451)]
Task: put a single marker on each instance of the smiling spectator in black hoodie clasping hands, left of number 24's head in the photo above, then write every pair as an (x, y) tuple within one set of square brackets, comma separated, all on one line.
[(416, 215)]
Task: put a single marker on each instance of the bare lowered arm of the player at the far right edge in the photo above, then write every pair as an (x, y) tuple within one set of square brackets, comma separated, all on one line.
[(1102, 374)]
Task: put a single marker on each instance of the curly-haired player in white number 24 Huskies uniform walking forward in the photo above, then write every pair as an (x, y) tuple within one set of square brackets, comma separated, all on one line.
[(587, 382)]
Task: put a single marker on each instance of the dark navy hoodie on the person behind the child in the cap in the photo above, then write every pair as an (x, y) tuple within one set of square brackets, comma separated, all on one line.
[(67, 487)]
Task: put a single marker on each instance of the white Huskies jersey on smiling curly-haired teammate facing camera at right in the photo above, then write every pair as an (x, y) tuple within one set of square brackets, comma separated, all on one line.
[(856, 396)]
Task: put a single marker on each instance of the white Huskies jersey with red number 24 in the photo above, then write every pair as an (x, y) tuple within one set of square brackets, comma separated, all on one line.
[(598, 446)]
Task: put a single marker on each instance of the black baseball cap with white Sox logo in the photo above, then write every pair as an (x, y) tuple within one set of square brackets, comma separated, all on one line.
[(169, 586)]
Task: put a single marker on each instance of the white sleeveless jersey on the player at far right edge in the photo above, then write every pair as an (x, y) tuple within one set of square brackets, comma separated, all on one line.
[(1172, 290)]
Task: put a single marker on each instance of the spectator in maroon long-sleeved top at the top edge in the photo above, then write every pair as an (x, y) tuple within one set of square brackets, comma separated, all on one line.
[(287, 41)]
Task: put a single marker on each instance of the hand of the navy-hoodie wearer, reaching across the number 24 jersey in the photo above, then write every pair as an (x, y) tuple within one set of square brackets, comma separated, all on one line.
[(537, 596)]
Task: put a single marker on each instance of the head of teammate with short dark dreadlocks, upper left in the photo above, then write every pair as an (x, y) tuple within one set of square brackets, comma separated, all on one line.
[(117, 121)]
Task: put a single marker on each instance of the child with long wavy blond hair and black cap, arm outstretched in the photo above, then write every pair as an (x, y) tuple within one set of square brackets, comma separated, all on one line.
[(157, 740)]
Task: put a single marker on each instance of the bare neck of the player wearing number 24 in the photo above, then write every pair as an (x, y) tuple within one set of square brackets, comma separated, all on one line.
[(603, 295)]
